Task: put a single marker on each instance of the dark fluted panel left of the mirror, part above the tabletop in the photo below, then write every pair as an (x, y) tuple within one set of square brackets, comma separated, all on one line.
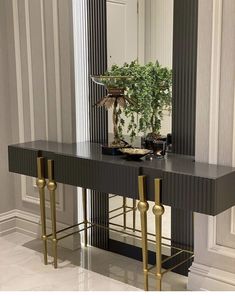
[(97, 64)]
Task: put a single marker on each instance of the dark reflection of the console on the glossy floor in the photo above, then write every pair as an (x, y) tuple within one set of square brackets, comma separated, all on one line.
[(114, 266)]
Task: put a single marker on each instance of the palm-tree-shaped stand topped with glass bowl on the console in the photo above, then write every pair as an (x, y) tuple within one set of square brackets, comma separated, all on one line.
[(116, 97)]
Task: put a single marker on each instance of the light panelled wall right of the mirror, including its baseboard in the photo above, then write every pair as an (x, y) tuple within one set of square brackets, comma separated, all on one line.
[(214, 236)]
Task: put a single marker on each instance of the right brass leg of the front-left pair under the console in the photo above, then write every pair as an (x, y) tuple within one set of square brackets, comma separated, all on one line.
[(52, 187)]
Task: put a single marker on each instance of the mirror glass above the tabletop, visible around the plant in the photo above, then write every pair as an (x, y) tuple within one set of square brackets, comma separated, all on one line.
[(140, 31)]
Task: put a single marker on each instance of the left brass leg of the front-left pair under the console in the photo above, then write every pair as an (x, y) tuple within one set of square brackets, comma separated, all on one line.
[(41, 183)]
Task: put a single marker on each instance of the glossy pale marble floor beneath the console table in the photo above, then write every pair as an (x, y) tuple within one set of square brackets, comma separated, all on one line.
[(86, 269)]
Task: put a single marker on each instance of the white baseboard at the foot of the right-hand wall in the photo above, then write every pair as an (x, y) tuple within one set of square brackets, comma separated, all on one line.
[(205, 278)]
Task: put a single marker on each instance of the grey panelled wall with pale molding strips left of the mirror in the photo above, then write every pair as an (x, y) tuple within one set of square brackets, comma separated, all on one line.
[(41, 103)]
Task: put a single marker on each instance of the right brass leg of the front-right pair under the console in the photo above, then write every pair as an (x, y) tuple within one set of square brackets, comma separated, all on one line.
[(158, 211)]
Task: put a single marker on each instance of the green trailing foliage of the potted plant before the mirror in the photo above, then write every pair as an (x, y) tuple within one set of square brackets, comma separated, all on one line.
[(150, 90)]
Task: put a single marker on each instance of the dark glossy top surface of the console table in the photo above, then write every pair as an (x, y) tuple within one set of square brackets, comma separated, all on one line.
[(173, 163)]
